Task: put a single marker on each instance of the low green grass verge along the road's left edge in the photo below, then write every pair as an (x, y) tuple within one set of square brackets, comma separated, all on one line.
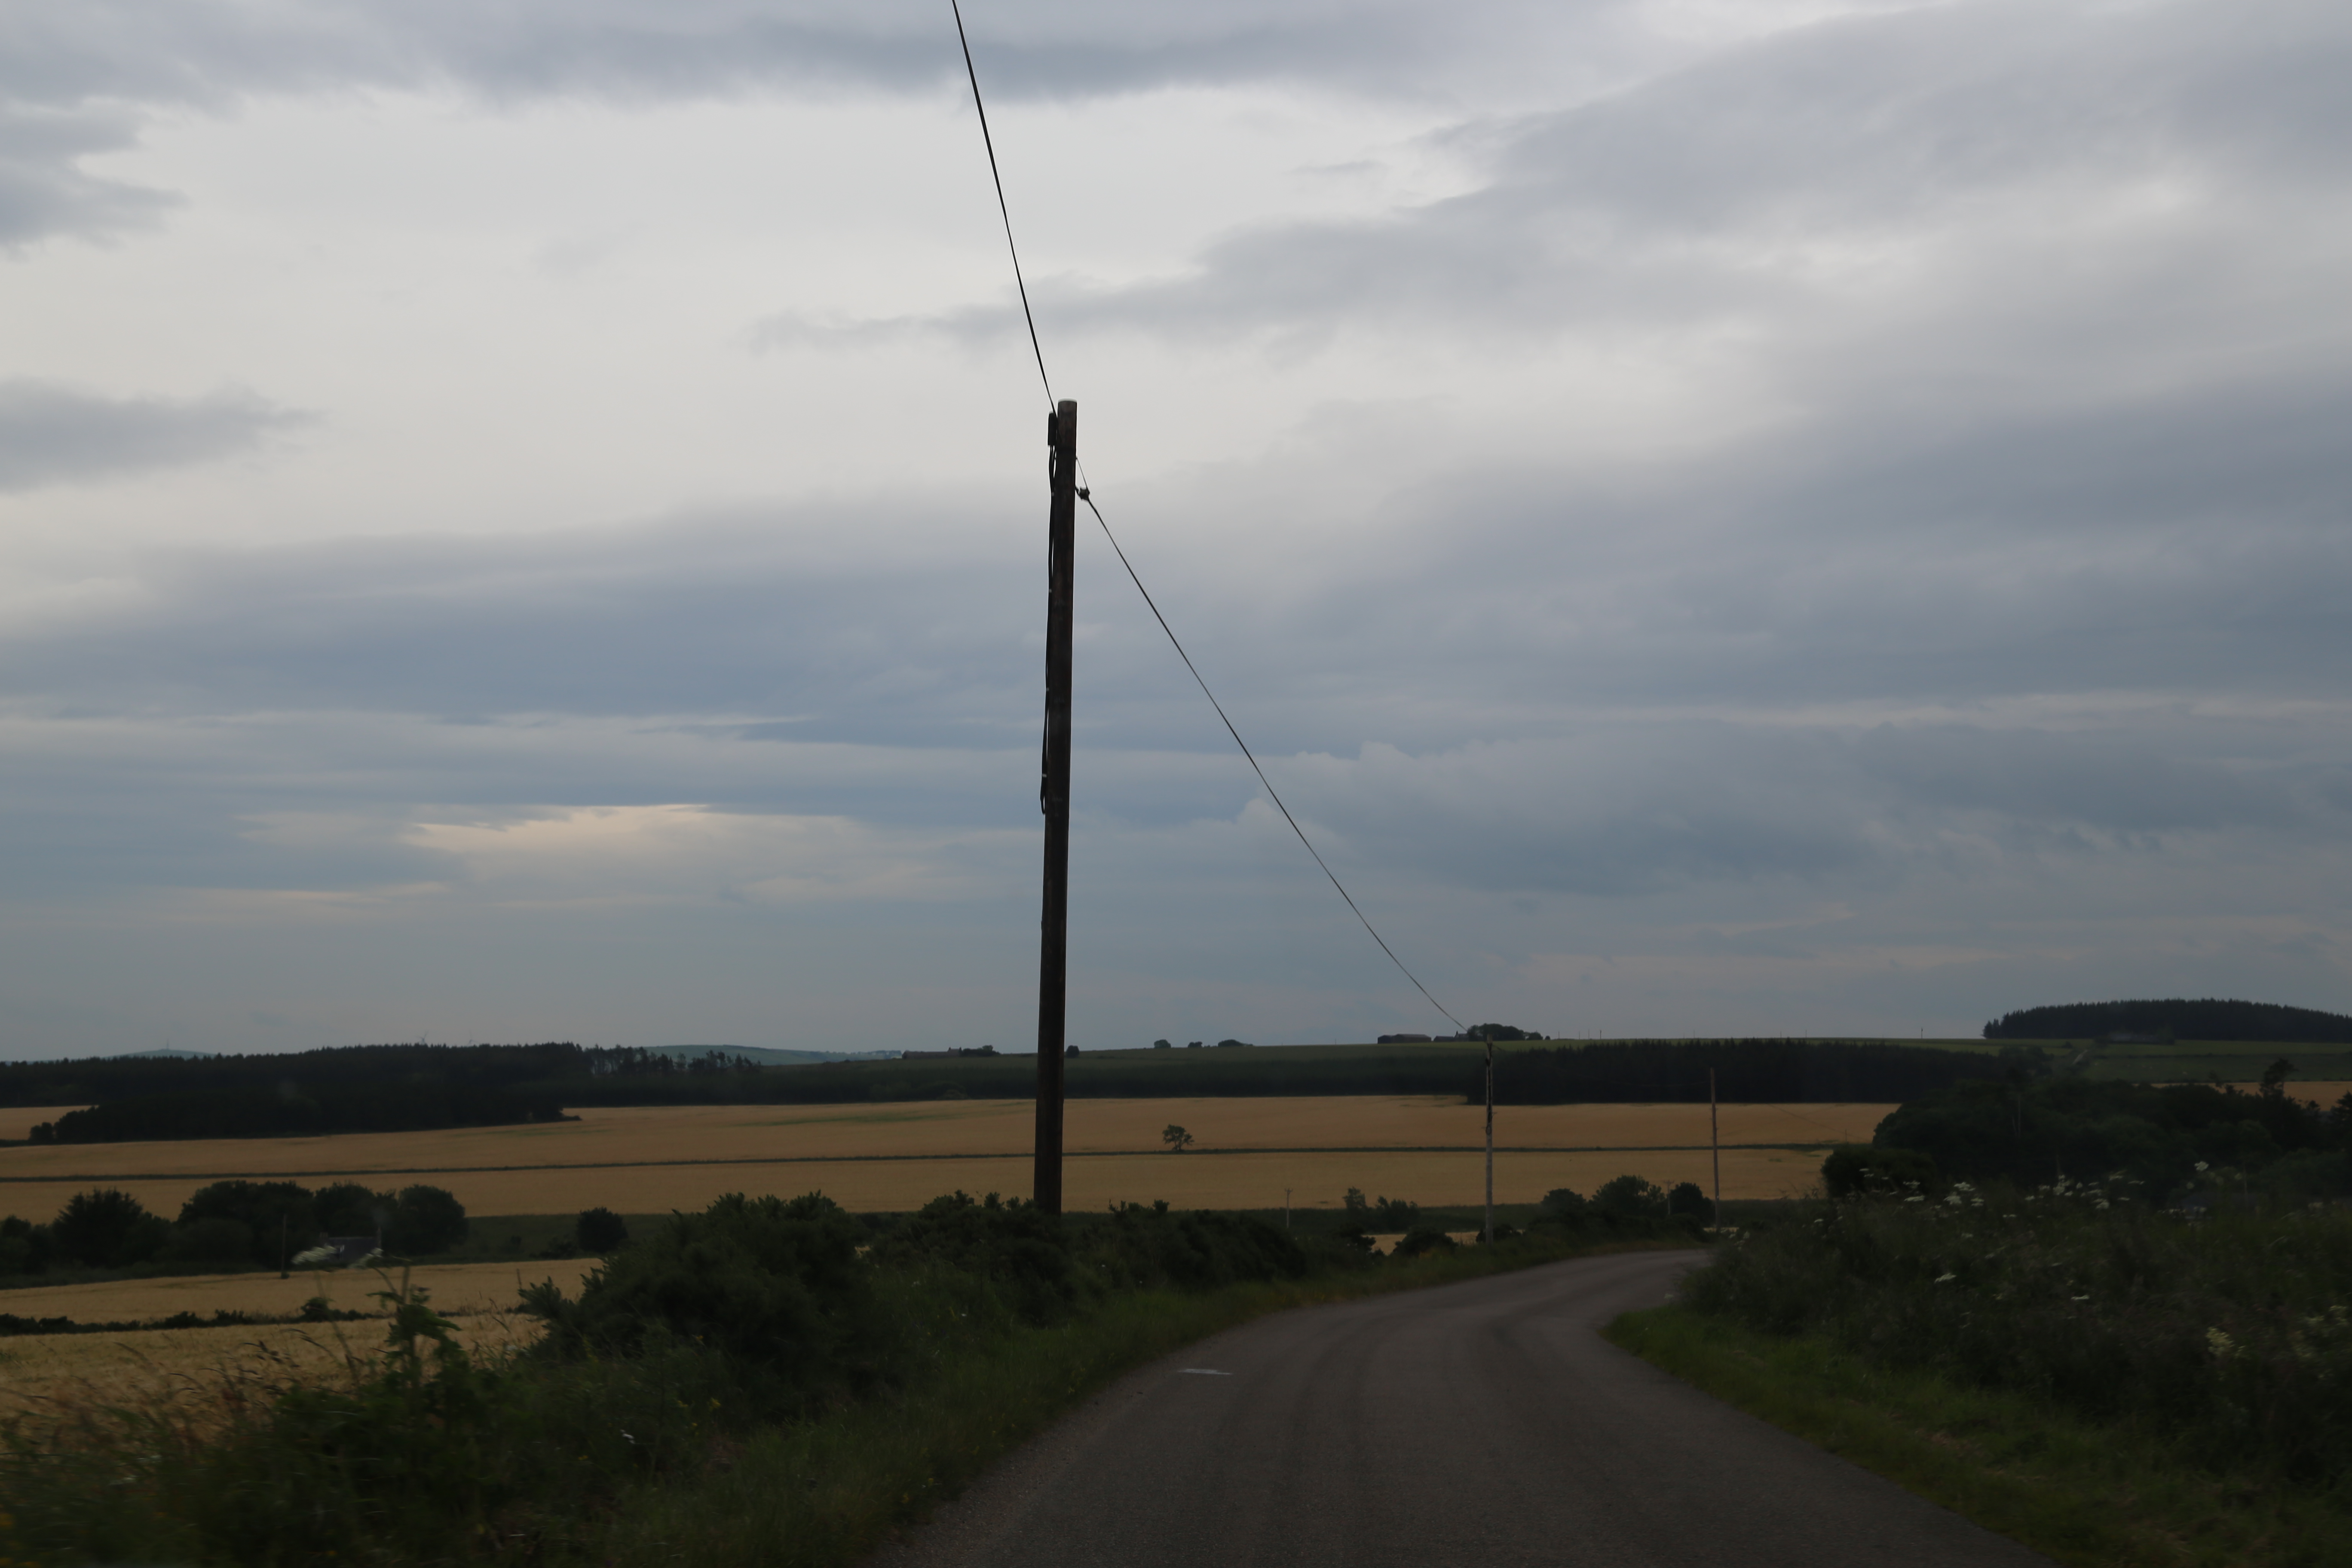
[(829, 1492)]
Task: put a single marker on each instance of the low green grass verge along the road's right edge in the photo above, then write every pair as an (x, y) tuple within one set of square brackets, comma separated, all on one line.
[(2085, 1494)]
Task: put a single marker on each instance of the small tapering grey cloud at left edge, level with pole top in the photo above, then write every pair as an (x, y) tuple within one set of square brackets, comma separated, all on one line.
[(58, 436)]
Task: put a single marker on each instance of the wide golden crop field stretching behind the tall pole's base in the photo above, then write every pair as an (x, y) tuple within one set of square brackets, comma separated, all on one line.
[(1248, 1153)]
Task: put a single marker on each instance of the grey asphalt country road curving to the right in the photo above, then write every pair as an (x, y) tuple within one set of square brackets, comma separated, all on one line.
[(1483, 1423)]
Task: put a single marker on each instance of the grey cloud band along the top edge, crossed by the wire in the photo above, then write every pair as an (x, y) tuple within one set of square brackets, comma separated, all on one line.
[(163, 51)]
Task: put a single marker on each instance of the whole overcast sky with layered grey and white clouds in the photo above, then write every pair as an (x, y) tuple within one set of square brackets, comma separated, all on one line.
[(1770, 516)]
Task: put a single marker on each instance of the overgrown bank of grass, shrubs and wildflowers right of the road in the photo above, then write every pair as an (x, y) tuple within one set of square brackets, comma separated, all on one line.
[(2099, 1379)]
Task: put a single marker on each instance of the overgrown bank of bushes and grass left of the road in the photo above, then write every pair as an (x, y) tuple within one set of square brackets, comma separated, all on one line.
[(763, 1386)]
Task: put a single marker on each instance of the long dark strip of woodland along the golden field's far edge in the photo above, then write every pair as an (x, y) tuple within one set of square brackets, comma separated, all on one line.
[(385, 1090)]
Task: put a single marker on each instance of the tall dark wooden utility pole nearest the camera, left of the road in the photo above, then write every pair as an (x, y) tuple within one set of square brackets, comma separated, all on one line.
[(1055, 798)]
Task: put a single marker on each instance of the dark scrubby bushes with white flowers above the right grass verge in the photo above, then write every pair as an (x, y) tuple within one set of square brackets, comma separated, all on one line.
[(2229, 1332)]
